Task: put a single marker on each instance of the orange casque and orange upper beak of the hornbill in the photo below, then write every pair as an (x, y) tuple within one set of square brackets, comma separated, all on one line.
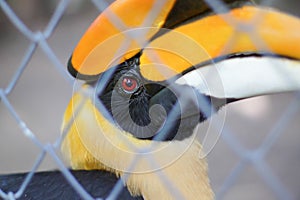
[(243, 30)]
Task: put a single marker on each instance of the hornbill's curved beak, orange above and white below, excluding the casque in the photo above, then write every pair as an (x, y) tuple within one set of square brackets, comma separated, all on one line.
[(248, 52)]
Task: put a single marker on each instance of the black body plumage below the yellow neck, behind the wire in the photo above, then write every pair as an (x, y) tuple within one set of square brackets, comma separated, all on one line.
[(53, 185)]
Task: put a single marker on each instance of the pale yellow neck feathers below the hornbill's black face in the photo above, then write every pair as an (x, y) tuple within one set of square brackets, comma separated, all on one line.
[(94, 143)]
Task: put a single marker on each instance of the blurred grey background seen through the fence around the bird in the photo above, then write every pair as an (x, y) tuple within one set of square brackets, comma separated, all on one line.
[(42, 94)]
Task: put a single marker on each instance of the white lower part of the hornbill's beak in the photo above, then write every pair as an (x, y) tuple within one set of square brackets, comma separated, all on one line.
[(243, 77)]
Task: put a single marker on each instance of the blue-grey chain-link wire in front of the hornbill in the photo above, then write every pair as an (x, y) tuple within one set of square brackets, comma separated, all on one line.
[(39, 39)]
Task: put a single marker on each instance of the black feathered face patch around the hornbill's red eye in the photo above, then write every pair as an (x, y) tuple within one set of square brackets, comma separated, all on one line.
[(146, 111)]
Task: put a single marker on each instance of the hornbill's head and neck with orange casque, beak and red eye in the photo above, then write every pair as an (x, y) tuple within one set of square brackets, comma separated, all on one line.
[(152, 71)]
